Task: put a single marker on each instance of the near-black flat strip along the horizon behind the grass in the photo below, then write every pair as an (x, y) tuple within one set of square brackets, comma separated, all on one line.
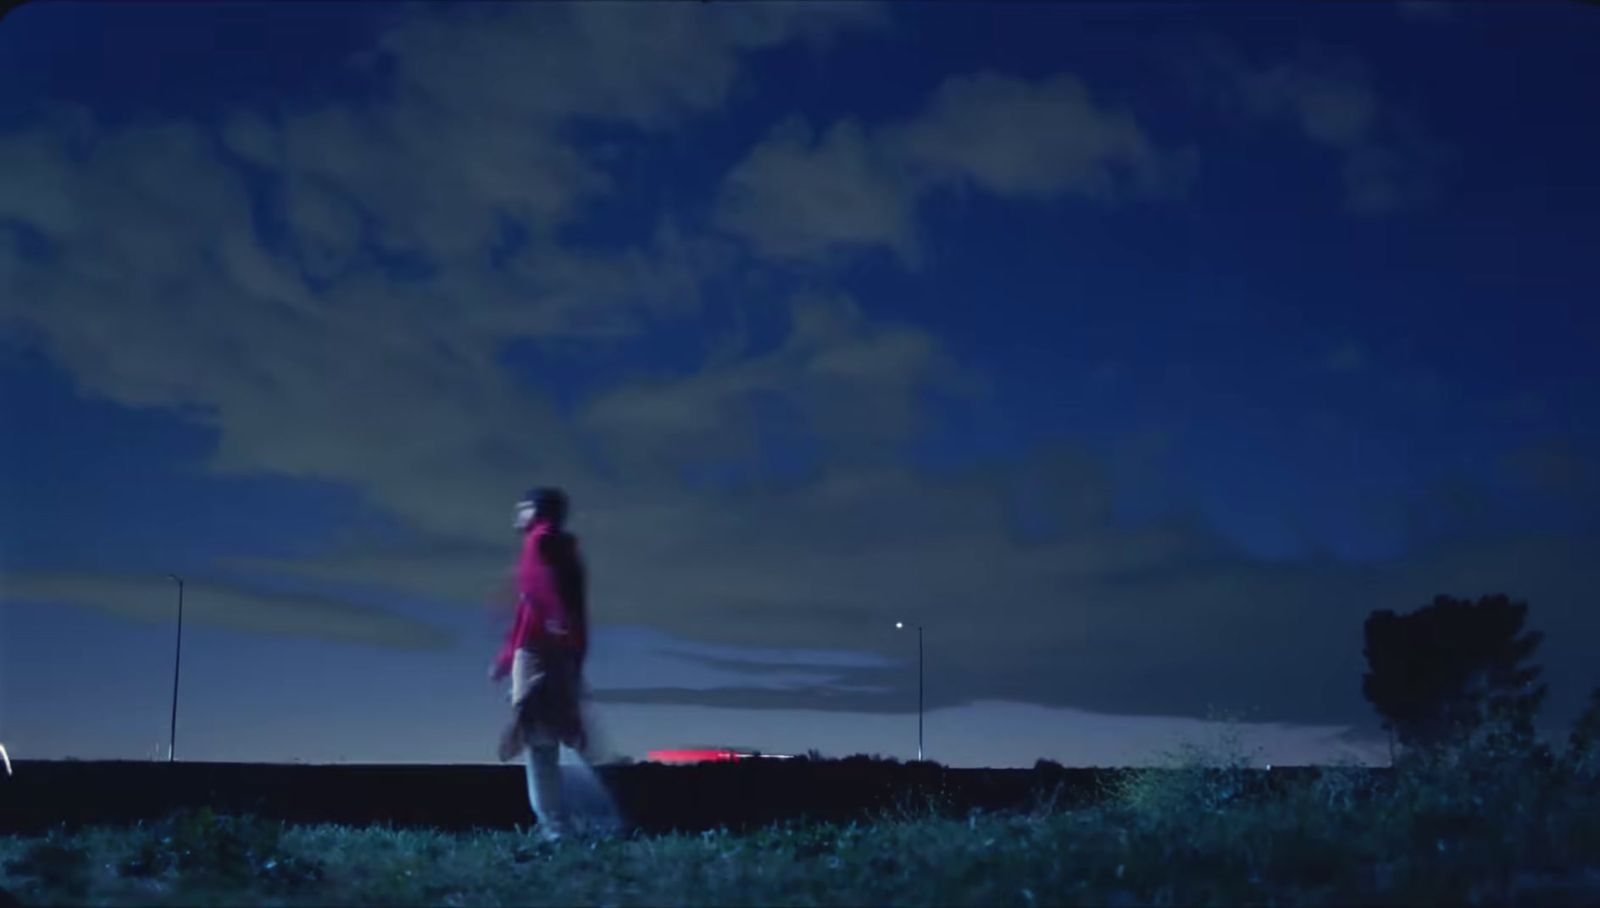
[(650, 797)]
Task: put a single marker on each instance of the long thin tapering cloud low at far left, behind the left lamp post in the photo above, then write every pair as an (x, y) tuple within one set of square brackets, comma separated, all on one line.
[(225, 605)]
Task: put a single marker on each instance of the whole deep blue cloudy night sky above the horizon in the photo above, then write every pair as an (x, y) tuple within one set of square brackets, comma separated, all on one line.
[(1135, 351)]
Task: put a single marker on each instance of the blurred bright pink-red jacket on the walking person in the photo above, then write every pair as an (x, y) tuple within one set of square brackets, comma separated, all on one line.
[(551, 597)]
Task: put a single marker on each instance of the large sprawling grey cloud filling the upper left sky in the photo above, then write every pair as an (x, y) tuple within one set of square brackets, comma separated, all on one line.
[(313, 357)]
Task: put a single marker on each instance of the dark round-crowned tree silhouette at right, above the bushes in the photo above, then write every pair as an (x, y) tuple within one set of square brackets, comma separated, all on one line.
[(1439, 674)]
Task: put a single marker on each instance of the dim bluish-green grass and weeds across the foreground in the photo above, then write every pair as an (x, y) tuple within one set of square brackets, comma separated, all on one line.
[(1492, 824)]
